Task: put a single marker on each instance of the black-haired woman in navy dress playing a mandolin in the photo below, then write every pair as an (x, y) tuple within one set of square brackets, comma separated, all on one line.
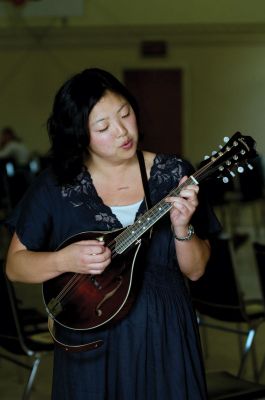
[(95, 184)]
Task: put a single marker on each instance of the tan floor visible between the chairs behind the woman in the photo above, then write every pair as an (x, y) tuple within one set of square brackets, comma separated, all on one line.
[(222, 348)]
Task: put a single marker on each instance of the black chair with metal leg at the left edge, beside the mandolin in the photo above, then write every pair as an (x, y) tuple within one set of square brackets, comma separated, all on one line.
[(21, 333)]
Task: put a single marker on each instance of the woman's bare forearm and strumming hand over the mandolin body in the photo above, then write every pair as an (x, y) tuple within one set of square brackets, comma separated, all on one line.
[(85, 257)]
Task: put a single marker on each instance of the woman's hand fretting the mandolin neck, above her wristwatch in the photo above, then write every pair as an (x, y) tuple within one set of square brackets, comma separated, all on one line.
[(184, 207)]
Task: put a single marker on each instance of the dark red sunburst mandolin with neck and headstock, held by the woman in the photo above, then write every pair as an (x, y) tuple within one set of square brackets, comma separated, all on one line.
[(86, 302)]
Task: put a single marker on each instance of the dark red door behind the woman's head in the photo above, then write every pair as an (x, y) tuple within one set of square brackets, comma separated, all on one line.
[(158, 92)]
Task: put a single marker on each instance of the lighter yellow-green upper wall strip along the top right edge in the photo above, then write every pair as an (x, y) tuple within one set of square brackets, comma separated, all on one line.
[(146, 12)]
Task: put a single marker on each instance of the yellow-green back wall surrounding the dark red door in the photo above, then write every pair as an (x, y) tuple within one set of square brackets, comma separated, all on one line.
[(223, 65)]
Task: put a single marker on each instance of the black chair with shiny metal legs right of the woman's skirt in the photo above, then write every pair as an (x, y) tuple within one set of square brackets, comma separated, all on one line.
[(218, 295)]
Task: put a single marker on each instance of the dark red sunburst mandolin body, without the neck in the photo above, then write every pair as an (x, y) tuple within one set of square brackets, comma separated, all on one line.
[(84, 302)]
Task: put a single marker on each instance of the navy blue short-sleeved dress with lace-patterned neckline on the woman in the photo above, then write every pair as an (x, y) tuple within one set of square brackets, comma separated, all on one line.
[(154, 352)]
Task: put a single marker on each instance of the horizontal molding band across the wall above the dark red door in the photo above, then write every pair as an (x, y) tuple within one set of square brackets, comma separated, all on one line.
[(28, 37)]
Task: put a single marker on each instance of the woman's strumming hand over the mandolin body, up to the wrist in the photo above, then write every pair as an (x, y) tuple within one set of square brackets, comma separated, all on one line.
[(85, 257)]
